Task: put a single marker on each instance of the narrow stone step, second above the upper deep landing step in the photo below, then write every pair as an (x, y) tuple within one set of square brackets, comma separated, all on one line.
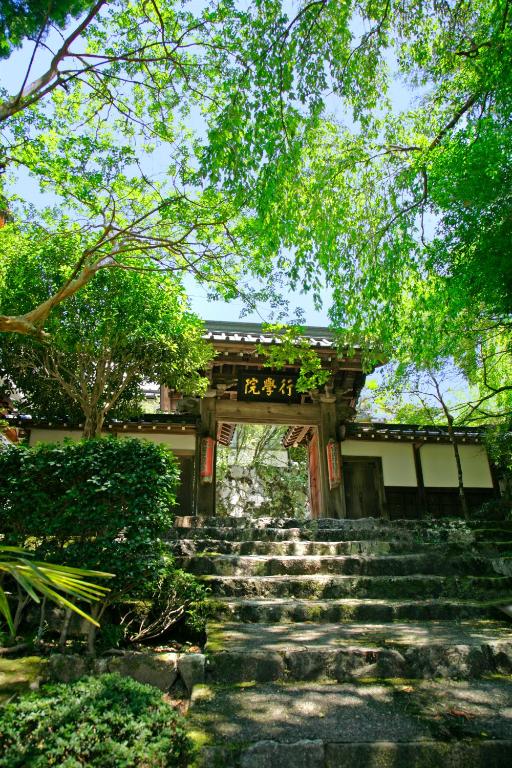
[(322, 586)]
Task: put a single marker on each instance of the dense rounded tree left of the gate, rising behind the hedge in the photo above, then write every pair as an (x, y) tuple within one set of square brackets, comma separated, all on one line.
[(123, 328)]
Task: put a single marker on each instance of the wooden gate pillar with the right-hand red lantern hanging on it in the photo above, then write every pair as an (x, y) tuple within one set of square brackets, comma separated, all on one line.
[(333, 500)]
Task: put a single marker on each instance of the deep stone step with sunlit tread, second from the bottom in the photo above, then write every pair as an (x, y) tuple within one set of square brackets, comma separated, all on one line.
[(344, 652)]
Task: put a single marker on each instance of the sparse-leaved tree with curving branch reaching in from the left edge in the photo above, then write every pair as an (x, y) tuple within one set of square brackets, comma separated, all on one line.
[(112, 107)]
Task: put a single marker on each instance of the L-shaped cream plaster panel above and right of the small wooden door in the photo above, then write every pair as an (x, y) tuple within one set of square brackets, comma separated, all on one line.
[(397, 459)]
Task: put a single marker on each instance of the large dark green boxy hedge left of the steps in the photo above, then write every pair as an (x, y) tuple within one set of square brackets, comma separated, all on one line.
[(103, 504)]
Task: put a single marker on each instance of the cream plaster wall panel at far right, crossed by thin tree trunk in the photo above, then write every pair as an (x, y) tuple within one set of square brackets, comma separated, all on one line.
[(440, 470)]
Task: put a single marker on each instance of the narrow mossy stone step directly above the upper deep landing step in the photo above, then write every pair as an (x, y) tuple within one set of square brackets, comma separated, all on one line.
[(281, 610)]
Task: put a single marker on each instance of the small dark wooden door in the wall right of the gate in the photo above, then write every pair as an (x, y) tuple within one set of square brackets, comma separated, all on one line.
[(364, 486)]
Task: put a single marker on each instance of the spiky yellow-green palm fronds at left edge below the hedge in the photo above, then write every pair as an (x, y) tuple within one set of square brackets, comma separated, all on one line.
[(50, 580)]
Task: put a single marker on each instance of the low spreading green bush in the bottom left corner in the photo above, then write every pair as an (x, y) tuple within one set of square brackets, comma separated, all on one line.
[(104, 722)]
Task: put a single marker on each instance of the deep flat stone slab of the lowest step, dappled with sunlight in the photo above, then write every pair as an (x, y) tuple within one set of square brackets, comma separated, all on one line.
[(401, 711)]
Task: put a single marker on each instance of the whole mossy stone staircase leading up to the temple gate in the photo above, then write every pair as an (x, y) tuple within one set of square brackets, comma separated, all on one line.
[(352, 643)]
